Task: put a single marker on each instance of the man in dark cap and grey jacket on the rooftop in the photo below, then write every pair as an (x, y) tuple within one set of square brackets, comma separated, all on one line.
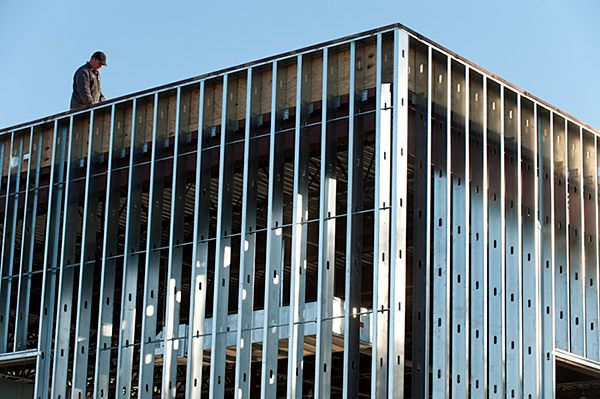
[(86, 82)]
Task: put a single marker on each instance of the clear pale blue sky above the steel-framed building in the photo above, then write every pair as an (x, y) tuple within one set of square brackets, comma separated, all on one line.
[(549, 48)]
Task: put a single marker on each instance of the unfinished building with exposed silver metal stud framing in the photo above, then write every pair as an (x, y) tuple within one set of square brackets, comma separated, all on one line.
[(373, 216)]
